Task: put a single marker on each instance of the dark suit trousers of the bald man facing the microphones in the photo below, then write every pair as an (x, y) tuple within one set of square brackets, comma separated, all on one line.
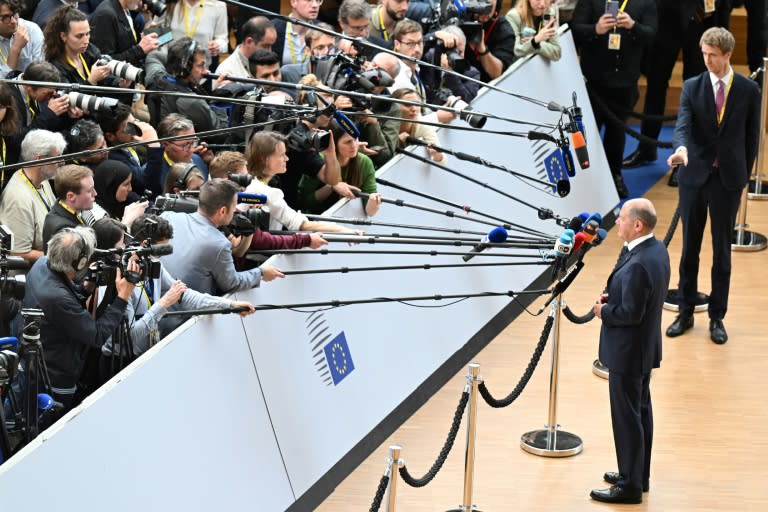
[(632, 420)]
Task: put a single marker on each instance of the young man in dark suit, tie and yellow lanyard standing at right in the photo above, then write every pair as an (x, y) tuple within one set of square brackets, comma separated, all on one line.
[(716, 138)]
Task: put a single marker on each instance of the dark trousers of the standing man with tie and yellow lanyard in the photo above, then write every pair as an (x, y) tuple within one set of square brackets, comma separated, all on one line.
[(723, 206)]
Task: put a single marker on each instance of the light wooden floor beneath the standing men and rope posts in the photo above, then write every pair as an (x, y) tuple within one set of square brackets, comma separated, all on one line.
[(711, 435)]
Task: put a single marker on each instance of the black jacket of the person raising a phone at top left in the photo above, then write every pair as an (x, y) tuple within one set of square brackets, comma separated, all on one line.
[(111, 33)]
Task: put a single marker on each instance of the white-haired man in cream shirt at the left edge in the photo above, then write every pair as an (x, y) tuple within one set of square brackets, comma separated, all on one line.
[(28, 197)]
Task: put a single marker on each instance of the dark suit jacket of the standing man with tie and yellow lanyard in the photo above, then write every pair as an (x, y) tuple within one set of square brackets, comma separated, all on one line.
[(733, 142)]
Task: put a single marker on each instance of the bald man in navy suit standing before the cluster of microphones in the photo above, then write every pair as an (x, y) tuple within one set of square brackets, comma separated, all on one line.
[(630, 345)]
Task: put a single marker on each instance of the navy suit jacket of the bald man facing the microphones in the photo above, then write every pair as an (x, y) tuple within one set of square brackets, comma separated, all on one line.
[(630, 338)]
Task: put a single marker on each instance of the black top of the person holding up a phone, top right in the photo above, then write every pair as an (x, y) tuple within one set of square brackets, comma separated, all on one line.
[(613, 68)]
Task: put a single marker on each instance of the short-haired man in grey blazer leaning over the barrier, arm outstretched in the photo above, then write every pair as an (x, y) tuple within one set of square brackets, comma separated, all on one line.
[(203, 258)]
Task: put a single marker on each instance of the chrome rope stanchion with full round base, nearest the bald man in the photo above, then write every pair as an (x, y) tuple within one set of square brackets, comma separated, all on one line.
[(551, 441)]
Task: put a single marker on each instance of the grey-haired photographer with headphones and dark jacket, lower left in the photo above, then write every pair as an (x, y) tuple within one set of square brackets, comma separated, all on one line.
[(68, 329)]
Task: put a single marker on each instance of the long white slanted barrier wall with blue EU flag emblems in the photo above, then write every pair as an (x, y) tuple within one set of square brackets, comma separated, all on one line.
[(271, 412)]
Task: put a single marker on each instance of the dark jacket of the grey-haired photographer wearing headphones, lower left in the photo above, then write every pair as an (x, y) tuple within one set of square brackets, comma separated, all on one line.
[(68, 329)]
